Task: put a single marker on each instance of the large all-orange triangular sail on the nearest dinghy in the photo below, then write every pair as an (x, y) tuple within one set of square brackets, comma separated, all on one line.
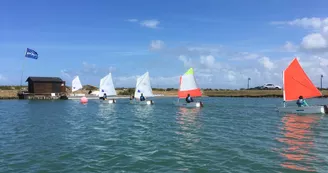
[(297, 83)]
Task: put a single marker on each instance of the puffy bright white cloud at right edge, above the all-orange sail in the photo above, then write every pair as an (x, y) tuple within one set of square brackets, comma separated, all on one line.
[(314, 41)]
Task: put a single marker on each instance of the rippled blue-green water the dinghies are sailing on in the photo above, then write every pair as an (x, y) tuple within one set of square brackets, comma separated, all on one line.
[(227, 135)]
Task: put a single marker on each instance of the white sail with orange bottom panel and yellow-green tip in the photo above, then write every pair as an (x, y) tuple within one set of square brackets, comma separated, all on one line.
[(188, 85)]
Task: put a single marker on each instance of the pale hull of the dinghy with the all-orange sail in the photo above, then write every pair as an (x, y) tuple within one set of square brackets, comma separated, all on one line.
[(305, 110)]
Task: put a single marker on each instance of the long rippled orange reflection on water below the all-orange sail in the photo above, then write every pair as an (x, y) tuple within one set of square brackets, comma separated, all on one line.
[(299, 137)]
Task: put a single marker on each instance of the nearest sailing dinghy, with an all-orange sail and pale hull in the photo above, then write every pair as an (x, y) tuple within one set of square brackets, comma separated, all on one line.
[(297, 83)]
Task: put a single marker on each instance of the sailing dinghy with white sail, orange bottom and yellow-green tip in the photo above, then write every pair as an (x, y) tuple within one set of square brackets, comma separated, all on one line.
[(187, 86)]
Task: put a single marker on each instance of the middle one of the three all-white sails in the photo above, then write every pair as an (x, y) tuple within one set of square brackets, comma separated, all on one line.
[(107, 86)]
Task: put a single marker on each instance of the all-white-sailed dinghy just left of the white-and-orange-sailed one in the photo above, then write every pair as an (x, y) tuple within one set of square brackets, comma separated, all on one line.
[(143, 87)]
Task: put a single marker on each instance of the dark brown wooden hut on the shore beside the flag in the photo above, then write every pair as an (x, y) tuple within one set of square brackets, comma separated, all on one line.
[(45, 85)]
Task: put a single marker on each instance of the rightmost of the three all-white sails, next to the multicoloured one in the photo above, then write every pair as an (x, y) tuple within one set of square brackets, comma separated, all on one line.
[(143, 86)]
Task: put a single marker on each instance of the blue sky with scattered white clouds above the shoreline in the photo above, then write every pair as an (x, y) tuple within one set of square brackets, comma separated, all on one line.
[(226, 42)]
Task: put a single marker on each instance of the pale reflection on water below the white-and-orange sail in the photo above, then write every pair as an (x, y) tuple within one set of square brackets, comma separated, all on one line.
[(189, 125)]
